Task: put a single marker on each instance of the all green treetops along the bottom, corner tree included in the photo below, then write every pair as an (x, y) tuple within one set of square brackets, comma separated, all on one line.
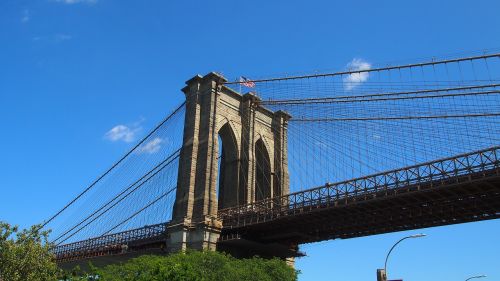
[(25, 256)]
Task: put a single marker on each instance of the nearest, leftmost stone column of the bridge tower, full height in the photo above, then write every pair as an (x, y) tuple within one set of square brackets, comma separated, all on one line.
[(194, 223)]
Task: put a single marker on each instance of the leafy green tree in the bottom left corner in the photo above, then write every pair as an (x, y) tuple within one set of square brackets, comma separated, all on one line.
[(25, 255)]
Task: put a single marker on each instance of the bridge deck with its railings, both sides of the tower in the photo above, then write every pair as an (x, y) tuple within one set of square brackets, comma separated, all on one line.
[(458, 189)]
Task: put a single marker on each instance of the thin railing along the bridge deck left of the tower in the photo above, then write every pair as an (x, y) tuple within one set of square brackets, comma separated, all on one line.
[(115, 240)]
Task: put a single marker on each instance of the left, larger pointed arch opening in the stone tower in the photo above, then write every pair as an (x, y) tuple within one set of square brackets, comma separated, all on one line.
[(227, 178)]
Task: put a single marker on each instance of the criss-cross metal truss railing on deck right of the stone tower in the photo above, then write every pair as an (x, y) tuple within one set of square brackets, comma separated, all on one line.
[(429, 174)]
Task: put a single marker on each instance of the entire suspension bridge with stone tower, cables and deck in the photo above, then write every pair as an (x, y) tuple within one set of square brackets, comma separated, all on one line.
[(261, 166)]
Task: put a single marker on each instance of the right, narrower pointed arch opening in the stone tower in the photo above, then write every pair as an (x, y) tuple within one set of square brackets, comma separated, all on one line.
[(262, 171)]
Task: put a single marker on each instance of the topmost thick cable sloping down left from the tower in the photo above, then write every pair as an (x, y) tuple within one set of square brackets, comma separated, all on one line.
[(112, 167)]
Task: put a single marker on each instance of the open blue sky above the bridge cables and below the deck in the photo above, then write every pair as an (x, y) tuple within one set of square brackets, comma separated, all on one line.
[(71, 70)]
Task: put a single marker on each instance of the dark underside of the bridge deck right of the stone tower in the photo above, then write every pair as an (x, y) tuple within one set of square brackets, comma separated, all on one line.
[(472, 197)]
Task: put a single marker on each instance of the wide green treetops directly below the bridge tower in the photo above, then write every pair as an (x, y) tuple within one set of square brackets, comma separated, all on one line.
[(197, 266)]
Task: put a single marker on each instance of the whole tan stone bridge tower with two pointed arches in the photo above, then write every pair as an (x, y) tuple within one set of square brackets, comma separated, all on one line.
[(234, 152)]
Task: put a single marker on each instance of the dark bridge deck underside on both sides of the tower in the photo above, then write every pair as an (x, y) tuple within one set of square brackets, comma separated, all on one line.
[(277, 232)]
